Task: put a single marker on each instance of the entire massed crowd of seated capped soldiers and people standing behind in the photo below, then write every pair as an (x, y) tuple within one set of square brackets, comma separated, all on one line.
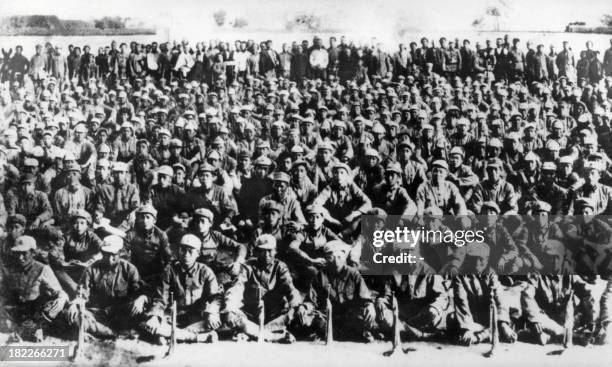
[(225, 178)]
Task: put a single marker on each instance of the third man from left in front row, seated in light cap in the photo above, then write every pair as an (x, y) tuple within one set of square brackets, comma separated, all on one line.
[(196, 292)]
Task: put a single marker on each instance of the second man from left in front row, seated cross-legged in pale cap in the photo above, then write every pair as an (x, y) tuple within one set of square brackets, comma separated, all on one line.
[(111, 291)]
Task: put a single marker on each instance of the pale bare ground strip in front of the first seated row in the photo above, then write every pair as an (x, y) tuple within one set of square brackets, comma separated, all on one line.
[(227, 353)]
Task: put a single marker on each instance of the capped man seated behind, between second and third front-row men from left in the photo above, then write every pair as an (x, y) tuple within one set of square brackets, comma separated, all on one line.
[(147, 245)]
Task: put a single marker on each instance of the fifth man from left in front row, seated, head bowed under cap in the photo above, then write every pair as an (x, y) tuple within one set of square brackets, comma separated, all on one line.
[(353, 312)]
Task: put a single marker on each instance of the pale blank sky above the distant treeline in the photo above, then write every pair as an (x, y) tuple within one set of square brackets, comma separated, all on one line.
[(345, 14)]
